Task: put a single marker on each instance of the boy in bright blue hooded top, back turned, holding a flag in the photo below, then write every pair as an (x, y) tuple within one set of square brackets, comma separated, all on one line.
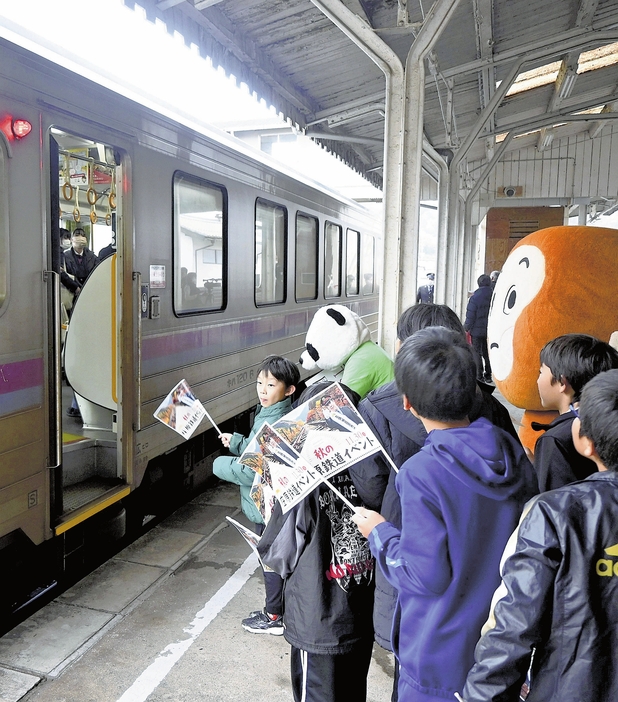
[(461, 497)]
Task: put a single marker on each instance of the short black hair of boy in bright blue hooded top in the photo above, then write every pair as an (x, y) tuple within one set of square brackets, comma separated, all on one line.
[(435, 370)]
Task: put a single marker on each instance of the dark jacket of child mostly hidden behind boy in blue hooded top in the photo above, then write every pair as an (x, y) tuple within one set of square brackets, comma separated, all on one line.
[(401, 435)]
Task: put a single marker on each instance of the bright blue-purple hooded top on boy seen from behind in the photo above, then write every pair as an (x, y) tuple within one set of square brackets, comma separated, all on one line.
[(461, 495)]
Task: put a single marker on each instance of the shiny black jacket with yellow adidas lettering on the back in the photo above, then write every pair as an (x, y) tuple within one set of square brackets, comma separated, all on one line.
[(562, 590)]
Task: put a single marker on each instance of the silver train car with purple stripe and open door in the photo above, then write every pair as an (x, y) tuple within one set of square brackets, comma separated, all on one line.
[(220, 259)]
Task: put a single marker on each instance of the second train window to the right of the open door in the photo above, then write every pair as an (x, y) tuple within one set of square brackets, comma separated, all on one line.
[(270, 253)]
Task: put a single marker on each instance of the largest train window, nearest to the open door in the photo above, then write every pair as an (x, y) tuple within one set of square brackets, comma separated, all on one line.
[(200, 217)]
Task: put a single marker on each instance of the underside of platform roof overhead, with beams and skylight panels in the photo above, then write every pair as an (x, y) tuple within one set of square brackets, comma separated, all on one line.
[(294, 57)]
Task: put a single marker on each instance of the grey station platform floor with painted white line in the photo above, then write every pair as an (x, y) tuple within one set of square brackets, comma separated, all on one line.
[(160, 621)]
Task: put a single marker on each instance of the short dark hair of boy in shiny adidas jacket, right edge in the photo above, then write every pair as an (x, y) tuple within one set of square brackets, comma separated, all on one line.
[(598, 413)]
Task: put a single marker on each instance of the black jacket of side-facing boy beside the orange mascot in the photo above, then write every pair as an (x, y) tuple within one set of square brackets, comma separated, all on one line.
[(556, 461)]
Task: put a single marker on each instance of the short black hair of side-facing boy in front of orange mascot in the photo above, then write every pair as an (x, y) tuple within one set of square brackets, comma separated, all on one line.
[(578, 358)]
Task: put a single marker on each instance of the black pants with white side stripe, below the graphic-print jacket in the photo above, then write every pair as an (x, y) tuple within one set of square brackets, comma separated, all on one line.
[(331, 678)]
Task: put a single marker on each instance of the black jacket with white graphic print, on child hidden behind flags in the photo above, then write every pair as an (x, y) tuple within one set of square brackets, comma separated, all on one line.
[(327, 569)]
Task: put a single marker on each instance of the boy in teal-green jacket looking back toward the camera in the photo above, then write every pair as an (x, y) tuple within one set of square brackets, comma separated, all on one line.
[(276, 382)]
